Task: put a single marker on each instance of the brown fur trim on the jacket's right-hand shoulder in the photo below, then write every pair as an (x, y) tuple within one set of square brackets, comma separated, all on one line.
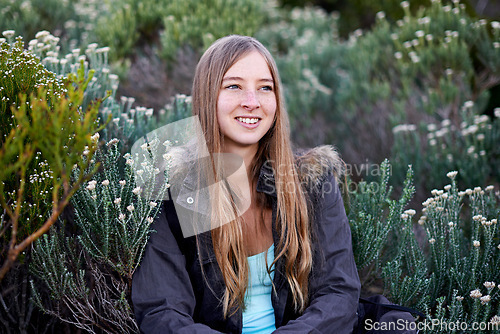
[(318, 164)]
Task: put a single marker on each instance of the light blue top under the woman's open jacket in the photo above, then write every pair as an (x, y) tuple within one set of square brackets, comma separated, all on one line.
[(258, 317)]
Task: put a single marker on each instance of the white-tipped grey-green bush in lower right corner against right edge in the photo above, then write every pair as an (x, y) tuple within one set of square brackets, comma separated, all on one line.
[(453, 274)]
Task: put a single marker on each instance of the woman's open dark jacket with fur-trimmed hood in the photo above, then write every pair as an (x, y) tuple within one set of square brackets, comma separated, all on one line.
[(170, 295)]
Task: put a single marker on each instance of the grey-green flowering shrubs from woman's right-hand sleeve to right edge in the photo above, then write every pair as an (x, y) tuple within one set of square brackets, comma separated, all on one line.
[(447, 265)]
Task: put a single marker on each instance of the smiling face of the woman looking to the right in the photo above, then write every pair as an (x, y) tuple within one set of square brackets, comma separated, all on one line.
[(246, 104)]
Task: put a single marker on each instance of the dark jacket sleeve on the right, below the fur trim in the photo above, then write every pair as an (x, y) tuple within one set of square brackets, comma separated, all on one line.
[(334, 285)]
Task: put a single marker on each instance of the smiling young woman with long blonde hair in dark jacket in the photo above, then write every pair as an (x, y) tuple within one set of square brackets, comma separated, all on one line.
[(285, 264)]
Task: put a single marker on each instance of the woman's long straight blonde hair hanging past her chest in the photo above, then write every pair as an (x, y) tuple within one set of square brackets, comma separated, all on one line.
[(292, 222)]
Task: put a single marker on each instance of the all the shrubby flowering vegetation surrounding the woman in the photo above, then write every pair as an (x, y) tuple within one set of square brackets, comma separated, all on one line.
[(415, 82)]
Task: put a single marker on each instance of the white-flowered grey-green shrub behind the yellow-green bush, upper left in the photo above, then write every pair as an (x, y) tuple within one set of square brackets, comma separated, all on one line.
[(126, 121)]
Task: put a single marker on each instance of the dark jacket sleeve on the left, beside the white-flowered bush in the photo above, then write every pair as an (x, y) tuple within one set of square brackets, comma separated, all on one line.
[(162, 294)]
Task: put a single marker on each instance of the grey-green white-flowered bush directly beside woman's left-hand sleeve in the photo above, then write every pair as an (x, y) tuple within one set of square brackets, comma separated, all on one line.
[(113, 218)]
